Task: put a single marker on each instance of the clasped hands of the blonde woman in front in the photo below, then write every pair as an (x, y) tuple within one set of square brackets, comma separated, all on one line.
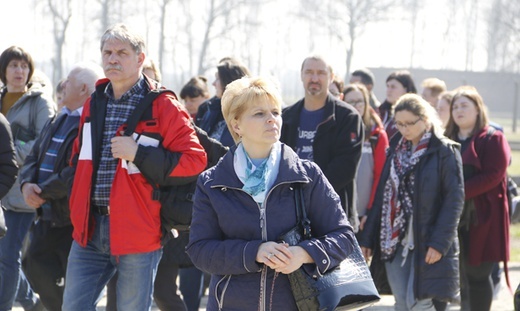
[(281, 257)]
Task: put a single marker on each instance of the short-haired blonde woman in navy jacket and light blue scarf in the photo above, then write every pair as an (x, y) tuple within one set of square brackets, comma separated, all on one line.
[(246, 202)]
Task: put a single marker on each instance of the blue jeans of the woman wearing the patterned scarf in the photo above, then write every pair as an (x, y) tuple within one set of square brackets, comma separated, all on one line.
[(401, 280)]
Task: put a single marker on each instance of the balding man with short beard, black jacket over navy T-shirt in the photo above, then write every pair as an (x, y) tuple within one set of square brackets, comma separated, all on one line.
[(323, 129)]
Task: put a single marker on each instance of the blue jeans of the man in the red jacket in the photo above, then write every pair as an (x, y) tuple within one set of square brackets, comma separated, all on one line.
[(89, 269)]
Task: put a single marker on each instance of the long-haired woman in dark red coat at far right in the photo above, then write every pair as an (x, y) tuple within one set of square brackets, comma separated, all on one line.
[(484, 225)]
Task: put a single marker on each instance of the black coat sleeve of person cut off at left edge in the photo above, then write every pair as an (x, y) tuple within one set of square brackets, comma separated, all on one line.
[(8, 167)]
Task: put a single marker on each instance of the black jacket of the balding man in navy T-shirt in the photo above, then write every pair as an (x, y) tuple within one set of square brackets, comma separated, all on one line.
[(336, 147)]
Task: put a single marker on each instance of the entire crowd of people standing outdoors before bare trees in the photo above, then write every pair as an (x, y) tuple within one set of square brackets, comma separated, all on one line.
[(420, 181)]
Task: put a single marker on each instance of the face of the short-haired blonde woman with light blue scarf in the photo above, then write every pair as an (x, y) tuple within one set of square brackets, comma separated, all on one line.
[(259, 125)]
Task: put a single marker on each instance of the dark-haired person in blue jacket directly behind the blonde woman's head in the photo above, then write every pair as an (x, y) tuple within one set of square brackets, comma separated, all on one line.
[(210, 119)]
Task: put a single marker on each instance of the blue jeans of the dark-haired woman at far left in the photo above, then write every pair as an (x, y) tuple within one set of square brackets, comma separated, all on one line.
[(11, 260)]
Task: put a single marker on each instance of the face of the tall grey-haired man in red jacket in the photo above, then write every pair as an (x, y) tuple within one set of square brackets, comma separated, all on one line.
[(120, 62)]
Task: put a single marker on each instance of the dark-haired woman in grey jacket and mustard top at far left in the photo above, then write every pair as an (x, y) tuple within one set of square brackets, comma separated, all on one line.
[(27, 109)]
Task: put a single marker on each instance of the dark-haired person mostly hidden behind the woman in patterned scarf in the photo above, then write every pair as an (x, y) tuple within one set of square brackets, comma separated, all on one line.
[(398, 83)]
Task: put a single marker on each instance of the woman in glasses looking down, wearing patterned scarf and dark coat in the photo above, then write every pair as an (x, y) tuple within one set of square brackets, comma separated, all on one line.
[(414, 217)]
